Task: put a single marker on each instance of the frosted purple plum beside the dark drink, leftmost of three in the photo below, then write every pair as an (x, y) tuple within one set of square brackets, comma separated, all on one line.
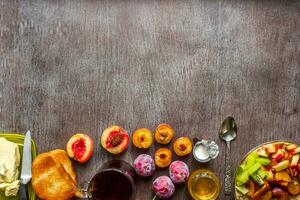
[(144, 165)]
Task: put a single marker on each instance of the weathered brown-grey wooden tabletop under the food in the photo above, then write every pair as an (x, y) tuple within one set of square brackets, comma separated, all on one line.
[(68, 67)]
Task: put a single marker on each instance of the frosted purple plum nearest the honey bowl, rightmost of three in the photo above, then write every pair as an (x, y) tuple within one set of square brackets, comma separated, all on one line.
[(179, 172)]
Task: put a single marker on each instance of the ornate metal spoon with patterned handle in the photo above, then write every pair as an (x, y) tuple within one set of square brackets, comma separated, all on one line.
[(227, 133)]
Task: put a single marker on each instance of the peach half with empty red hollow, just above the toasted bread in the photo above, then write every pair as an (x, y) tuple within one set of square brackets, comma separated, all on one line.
[(80, 147)]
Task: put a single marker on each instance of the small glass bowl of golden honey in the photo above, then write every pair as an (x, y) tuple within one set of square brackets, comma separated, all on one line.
[(203, 185)]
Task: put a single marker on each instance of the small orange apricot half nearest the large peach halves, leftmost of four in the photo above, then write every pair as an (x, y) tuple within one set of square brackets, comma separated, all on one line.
[(142, 138)]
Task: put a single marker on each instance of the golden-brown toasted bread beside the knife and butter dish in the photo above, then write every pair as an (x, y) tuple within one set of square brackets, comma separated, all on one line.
[(53, 176)]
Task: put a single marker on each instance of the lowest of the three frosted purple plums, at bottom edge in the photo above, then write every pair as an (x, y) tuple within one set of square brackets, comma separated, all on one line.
[(163, 187)]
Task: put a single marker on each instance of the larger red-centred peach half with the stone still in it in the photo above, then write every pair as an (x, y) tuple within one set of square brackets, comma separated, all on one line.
[(114, 139)]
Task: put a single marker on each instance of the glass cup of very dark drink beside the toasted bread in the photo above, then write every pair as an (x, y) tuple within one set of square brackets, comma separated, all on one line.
[(113, 181)]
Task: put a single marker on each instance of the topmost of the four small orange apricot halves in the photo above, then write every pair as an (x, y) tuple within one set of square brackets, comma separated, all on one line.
[(164, 134)]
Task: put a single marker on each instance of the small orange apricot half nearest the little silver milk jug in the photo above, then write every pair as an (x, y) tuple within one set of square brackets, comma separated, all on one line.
[(182, 146)]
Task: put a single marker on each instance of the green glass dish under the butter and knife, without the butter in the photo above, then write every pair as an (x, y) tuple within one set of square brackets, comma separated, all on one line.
[(19, 140)]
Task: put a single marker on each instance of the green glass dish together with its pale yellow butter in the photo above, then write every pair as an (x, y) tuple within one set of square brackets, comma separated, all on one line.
[(10, 165)]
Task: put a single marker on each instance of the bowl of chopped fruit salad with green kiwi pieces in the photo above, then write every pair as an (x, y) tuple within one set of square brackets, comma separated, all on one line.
[(269, 171)]
